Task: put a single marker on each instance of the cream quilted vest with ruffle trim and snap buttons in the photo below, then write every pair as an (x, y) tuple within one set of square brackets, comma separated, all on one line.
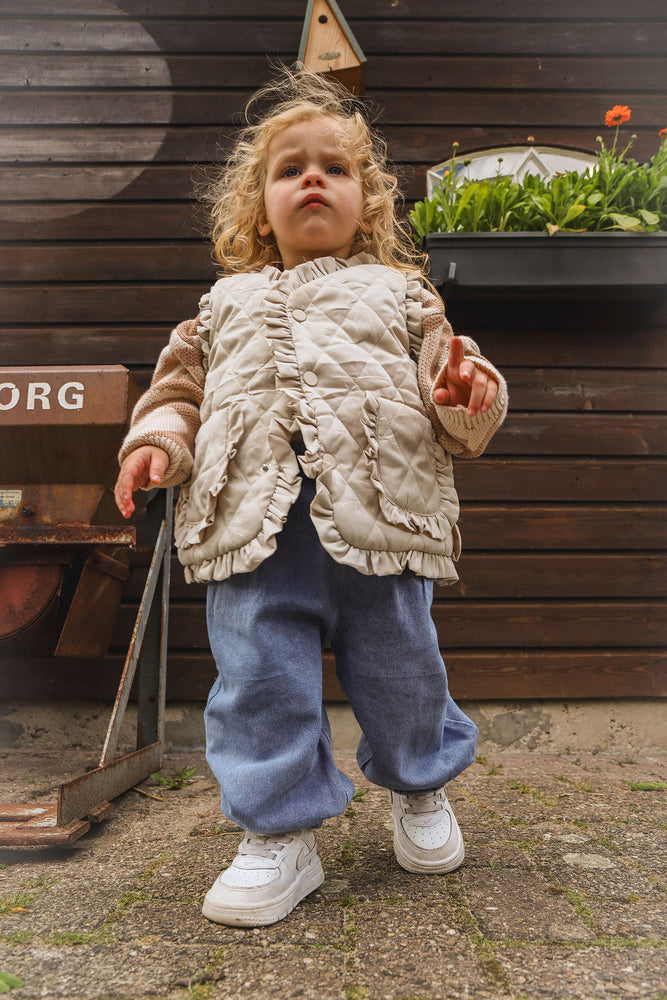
[(322, 353)]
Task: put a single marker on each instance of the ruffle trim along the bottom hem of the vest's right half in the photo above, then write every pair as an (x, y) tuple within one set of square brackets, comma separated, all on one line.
[(370, 562)]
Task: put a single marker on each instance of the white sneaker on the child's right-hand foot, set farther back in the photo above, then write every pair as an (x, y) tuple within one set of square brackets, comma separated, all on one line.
[(427, 838)]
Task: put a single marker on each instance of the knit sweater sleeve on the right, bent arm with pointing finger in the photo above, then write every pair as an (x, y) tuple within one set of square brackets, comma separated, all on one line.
[(461, 434)]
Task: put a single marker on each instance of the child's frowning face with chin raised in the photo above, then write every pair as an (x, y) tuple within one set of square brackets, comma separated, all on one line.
[(313, 201)]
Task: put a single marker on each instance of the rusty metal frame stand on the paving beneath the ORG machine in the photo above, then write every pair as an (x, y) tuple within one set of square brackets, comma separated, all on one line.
[(87, 799)]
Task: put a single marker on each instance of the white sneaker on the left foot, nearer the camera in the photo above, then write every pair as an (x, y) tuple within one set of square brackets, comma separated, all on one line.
[(266, 880)]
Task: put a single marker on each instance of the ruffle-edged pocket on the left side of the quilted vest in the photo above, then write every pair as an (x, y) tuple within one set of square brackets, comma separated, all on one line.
[(214, 449)]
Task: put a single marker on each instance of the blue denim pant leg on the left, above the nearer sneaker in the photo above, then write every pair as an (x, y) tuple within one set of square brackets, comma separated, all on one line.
[(267, 736)]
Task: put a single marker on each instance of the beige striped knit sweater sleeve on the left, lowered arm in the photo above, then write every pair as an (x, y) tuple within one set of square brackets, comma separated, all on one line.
[(167, 415)]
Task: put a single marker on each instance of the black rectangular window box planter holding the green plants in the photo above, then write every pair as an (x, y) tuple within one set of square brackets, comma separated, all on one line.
[(618, 265)]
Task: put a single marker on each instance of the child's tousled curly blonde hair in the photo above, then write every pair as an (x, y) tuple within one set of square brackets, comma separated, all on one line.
[(236, 197)]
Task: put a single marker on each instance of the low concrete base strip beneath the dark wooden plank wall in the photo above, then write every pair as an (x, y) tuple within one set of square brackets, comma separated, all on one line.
[(605, 726)]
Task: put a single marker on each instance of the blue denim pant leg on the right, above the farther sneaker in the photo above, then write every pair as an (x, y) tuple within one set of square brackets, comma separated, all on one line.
[(415, 737)]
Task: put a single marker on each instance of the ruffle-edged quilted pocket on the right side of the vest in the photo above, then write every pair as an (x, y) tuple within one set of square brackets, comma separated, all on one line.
[(409, 469)]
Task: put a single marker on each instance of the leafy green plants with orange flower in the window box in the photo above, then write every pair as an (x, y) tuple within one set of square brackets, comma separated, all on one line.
[(617, 193)]
